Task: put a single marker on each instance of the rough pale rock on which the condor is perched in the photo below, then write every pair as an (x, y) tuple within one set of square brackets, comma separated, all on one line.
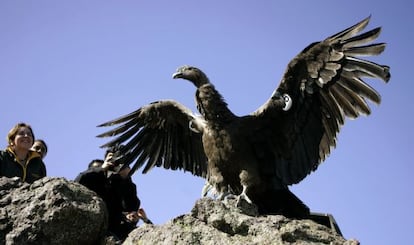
[(214, 222)]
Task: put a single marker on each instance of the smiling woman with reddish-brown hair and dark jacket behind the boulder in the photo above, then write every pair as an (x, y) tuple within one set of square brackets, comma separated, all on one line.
[(18, 159)]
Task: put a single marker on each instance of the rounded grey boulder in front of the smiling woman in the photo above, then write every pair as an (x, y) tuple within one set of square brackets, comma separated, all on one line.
[(50, 211)]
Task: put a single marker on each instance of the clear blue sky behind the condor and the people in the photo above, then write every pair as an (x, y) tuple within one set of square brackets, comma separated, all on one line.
[(67, 66)]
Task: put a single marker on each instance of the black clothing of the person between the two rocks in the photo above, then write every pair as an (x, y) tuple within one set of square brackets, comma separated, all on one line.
[(119, 195)]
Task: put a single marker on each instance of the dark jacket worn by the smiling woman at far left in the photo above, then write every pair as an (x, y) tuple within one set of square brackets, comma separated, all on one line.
[(34, 168)]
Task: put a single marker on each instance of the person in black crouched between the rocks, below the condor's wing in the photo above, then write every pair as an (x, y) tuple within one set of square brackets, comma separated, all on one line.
[(117, 191)]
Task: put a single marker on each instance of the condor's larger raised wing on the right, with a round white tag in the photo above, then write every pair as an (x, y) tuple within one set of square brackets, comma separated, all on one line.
[(324, 83)]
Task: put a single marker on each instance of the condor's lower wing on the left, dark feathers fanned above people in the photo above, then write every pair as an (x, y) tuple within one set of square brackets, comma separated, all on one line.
[(159, 134)]
